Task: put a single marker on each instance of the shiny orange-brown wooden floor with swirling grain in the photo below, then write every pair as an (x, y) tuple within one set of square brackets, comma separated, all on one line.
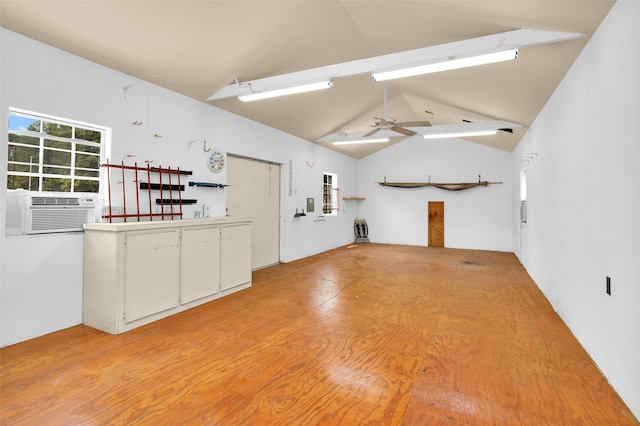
[(369, 334)]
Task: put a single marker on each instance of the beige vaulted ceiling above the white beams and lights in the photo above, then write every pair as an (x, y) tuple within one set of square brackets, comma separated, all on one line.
[(198, 47)]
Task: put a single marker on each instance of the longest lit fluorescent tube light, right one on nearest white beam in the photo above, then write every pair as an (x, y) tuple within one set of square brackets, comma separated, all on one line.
[(449, 64)]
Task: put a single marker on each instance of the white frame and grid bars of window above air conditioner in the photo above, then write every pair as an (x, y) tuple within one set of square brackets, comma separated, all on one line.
[(40, 175)]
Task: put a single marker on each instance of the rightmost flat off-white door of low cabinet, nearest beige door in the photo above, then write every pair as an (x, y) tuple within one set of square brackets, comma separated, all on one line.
[(235, 255)]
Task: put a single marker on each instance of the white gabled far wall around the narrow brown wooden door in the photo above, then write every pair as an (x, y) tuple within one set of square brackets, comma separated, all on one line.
[(475, 218)]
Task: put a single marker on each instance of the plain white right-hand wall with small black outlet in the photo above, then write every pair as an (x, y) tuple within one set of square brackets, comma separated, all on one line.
[(584, 199)]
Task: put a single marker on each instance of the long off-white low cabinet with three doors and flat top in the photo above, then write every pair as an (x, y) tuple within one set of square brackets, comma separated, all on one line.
[(137, 273)]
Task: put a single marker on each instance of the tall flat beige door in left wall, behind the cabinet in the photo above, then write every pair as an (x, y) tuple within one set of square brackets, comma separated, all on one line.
[(254, 191)]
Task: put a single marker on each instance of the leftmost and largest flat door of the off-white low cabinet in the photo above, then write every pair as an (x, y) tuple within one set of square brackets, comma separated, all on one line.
[(151, 272)]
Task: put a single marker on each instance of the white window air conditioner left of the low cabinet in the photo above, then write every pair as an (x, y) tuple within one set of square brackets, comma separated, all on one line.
[(43, 214)]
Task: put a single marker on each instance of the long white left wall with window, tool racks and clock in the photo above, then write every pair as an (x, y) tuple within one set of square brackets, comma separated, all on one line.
[(41, 277)]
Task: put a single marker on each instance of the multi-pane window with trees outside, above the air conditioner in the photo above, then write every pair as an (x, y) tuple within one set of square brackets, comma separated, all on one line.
[(47, 154)]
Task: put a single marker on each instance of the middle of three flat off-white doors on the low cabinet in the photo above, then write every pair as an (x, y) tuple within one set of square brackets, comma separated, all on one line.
[(200, 263)]
